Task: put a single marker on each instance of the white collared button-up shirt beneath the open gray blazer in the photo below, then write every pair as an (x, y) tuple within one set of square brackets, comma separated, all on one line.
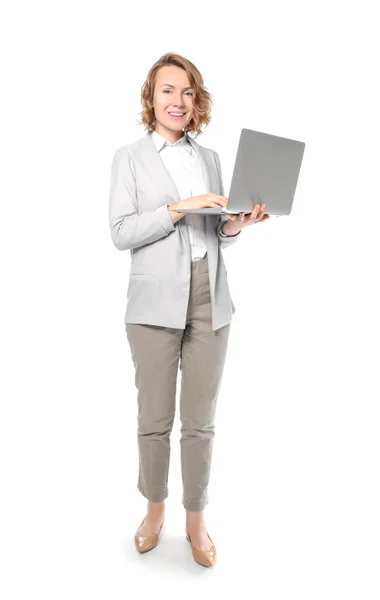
[(186, 171)]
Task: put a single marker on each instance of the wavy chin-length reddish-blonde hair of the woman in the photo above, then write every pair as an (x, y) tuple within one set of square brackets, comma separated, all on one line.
[(202, 99)]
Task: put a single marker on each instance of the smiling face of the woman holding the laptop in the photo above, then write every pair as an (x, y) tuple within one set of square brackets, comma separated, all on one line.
[(172, 94)]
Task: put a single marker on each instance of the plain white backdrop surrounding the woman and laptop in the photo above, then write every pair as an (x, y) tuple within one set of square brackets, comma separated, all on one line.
[(294, 490)]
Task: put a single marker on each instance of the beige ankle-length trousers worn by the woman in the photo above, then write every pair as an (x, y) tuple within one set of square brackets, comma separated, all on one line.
[(156, 353)]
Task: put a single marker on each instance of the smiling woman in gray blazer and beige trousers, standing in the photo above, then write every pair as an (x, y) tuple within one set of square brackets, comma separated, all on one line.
[(179, 307)]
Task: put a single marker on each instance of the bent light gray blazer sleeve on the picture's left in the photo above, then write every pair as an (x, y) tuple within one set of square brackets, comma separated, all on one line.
[(128, 228)]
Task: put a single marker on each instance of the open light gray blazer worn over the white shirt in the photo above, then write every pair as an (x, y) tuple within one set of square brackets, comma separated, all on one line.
[(159, 280)]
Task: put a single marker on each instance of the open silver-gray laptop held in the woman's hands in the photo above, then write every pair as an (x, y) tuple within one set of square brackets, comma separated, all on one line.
[(266, 172)]
